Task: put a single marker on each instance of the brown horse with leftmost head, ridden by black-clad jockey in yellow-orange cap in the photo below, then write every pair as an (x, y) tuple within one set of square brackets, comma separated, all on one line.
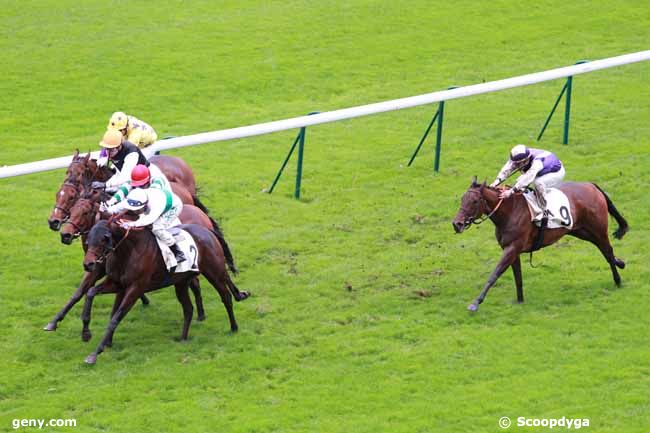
[(83, 170)]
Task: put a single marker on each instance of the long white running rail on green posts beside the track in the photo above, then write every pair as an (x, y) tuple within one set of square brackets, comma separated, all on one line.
[(350, 113)]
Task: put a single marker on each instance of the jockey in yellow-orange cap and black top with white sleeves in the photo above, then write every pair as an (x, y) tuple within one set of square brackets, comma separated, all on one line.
[(124, 156)]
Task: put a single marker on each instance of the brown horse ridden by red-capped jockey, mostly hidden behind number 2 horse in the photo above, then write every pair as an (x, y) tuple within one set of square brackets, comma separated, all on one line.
[(82, 217)]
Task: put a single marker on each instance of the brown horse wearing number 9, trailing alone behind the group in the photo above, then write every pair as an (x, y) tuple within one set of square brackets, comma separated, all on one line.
[(516, 233)]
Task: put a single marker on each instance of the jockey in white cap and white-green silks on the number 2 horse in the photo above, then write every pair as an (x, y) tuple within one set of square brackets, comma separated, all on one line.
[(159, 208)]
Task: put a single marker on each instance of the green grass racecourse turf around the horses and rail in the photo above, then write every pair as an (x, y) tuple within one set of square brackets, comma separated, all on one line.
[(358, 319)]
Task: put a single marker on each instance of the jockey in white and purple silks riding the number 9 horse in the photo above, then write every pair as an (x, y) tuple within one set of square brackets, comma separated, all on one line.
[(539, 167)]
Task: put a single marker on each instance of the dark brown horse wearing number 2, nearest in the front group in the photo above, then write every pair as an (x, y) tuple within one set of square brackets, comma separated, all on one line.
[(132, 260)]
